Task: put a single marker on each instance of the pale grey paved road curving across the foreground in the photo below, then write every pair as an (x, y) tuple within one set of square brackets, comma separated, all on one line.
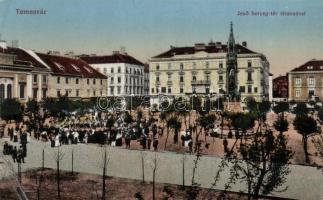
[(303, 182)]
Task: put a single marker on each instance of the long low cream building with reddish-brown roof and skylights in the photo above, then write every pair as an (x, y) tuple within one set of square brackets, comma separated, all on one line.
[(73, 77)]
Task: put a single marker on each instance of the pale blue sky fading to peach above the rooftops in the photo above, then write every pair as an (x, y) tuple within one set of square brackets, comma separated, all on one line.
[(148, 27)]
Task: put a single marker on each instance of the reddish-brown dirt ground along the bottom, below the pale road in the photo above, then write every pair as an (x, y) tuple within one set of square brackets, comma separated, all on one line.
[(85, 186)]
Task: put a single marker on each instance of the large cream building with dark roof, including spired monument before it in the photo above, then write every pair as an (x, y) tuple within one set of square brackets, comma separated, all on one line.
[(208, 69)]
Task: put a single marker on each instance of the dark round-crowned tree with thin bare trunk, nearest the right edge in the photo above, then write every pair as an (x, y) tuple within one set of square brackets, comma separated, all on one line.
[(307, 127)]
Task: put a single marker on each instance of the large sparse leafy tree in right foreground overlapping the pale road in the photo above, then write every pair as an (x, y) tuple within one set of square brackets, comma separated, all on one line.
[(263, 165)]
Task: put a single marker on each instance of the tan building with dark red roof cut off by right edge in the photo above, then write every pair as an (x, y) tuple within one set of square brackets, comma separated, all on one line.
[(306, 81)]
